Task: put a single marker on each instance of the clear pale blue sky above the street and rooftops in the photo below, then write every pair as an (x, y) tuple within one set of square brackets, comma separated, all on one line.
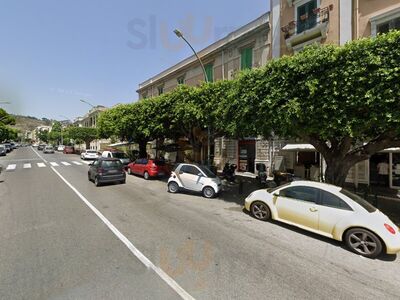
[(53, 53)]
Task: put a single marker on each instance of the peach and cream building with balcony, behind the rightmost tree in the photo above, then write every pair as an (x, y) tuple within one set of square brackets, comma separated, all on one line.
[(298, 23)]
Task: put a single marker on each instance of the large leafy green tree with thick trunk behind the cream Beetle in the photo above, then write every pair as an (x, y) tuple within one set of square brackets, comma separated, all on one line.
[(342, 100)]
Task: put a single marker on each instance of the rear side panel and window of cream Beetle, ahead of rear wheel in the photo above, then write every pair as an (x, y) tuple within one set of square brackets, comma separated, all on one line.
[(332, 209)]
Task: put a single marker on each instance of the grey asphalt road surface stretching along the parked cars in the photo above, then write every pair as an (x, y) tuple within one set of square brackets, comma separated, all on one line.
[(53, 246)]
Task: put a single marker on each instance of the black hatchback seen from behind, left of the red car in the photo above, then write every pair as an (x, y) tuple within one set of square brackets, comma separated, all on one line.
[(105, 170)]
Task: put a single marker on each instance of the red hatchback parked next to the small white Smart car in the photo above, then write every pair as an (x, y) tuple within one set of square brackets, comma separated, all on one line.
[(148, 168)]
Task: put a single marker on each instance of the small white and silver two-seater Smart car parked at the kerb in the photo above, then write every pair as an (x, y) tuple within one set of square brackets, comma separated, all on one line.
[(196, 178)]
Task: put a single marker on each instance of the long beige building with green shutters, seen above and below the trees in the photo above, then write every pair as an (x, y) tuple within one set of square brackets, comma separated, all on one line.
[(246, 48)]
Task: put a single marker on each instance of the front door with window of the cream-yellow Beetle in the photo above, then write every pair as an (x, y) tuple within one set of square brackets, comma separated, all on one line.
[(298, 205)]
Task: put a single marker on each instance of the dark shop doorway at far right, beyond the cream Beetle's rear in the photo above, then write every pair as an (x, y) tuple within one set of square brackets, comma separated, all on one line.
[(379, 170)]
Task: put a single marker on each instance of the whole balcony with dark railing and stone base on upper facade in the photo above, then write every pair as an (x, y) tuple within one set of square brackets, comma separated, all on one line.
[(309, 28)]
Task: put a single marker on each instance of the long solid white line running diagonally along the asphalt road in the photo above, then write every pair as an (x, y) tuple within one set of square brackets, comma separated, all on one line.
[(164, 276)]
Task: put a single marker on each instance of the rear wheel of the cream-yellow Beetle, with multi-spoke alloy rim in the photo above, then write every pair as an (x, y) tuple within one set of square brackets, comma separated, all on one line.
[(363, 242)]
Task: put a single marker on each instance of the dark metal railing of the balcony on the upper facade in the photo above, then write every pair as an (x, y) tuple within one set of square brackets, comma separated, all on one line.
[(307, 21)]
